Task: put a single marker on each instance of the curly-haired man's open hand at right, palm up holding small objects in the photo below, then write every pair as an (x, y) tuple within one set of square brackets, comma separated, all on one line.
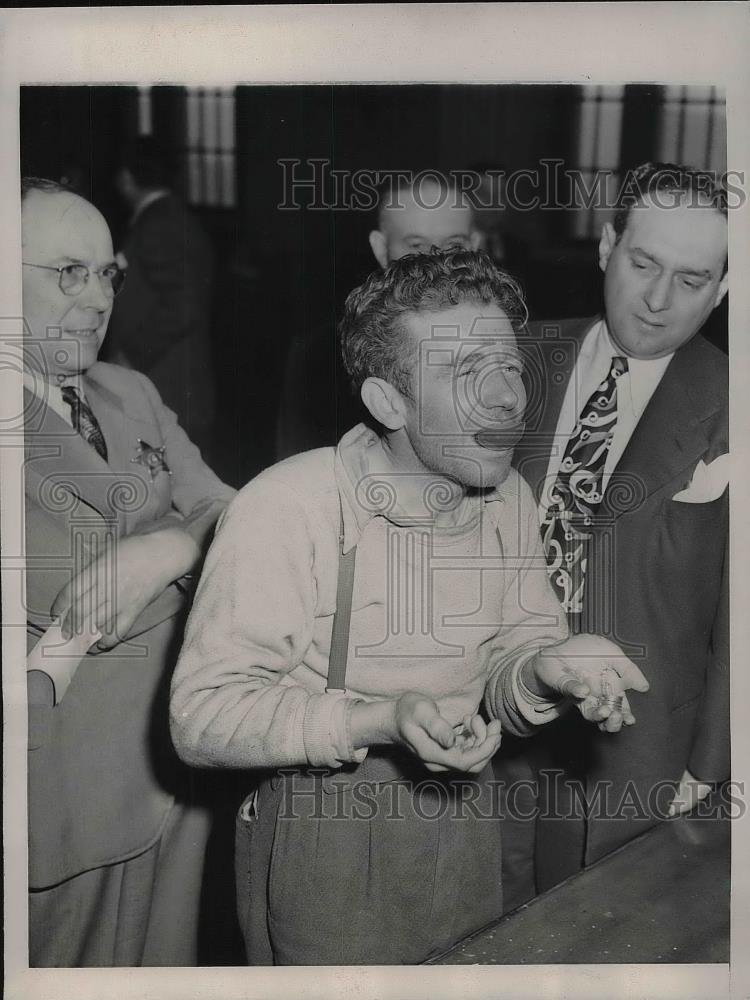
[(583, 668)]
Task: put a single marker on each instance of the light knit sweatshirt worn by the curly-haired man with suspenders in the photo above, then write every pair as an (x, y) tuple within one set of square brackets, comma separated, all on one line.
[(452, 613)]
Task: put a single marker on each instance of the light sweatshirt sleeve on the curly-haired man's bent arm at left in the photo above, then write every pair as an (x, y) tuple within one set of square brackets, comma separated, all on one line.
[(244, 694)]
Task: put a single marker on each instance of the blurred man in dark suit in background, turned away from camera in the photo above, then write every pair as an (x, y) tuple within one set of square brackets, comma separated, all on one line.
[(161, 324)]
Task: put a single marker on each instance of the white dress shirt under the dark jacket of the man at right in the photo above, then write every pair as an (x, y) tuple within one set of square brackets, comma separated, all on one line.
[(634, 390)]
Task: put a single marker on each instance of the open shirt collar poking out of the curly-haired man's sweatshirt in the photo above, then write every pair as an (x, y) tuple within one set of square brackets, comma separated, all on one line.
[(358, 454)]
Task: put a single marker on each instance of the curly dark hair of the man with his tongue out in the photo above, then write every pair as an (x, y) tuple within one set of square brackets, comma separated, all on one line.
[(374, 341)]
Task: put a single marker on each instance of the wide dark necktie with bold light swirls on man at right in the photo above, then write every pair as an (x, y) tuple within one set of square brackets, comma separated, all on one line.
[(577, 492)]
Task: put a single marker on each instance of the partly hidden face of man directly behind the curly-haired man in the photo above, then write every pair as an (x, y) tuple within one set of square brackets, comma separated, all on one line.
[(416, 226)]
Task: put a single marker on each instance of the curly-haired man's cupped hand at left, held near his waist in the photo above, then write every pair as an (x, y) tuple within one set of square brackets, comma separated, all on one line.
[(419, 726)]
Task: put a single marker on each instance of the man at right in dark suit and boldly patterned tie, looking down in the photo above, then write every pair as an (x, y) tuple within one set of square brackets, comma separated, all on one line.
[(626, 449)]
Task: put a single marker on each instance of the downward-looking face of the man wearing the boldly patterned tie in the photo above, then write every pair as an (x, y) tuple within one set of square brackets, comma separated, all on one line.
[(664, 276)]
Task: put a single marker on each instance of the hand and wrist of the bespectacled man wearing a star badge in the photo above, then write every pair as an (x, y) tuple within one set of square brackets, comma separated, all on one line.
[(109, 594)]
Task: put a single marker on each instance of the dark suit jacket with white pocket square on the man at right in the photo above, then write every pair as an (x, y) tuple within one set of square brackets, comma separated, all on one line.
[(656, 584)]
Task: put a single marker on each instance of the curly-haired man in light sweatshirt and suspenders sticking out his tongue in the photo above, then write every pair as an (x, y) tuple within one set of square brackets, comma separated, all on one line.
[(370, 695)]
